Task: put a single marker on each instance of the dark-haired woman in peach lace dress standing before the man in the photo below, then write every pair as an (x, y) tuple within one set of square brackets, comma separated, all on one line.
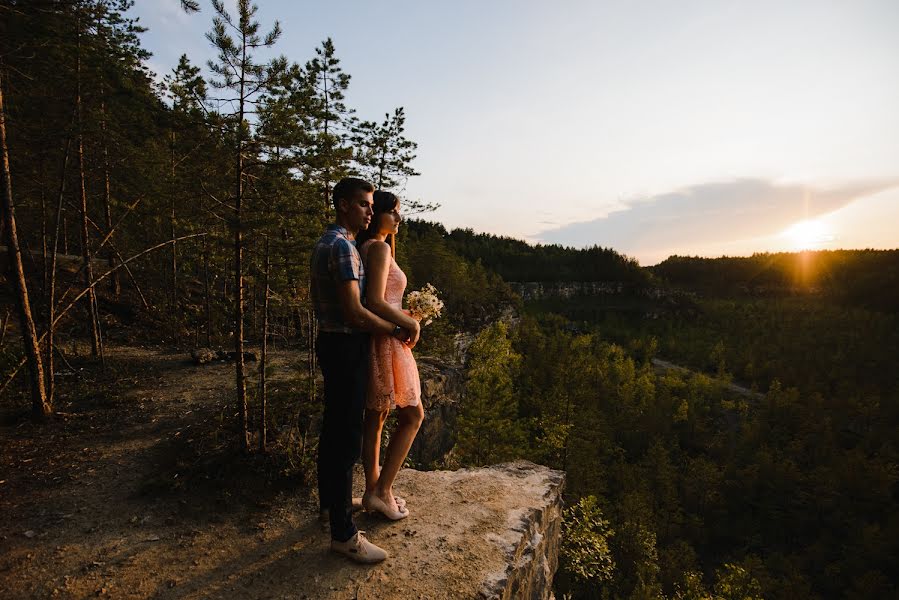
[(393, 378)]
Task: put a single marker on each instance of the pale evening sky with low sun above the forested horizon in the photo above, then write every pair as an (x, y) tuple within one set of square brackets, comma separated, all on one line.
[(653, 127)]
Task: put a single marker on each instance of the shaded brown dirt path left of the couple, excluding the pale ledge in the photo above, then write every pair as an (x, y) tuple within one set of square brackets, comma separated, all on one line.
[(91, 504)]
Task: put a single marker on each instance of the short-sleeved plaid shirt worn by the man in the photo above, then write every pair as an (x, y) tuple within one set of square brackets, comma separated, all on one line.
[(334, 259)]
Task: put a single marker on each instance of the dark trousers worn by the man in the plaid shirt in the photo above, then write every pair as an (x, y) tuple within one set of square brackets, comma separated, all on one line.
[(343, 358)]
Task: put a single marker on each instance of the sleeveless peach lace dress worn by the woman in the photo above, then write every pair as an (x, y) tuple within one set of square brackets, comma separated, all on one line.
[(393, 375)]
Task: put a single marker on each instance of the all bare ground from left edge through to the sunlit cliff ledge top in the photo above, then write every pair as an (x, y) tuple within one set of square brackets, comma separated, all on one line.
[(132, 491)]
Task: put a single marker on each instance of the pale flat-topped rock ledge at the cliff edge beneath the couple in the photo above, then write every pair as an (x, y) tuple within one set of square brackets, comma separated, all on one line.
[(488, 533)]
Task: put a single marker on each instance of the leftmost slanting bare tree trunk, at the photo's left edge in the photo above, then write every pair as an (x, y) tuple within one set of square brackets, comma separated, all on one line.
[(40, 406)]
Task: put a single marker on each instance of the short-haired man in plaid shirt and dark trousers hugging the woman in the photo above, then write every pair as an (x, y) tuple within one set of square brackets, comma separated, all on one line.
[(342, 347)]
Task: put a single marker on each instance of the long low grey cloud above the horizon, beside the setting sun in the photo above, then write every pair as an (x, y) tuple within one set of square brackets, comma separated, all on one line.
[(709, 213)]
